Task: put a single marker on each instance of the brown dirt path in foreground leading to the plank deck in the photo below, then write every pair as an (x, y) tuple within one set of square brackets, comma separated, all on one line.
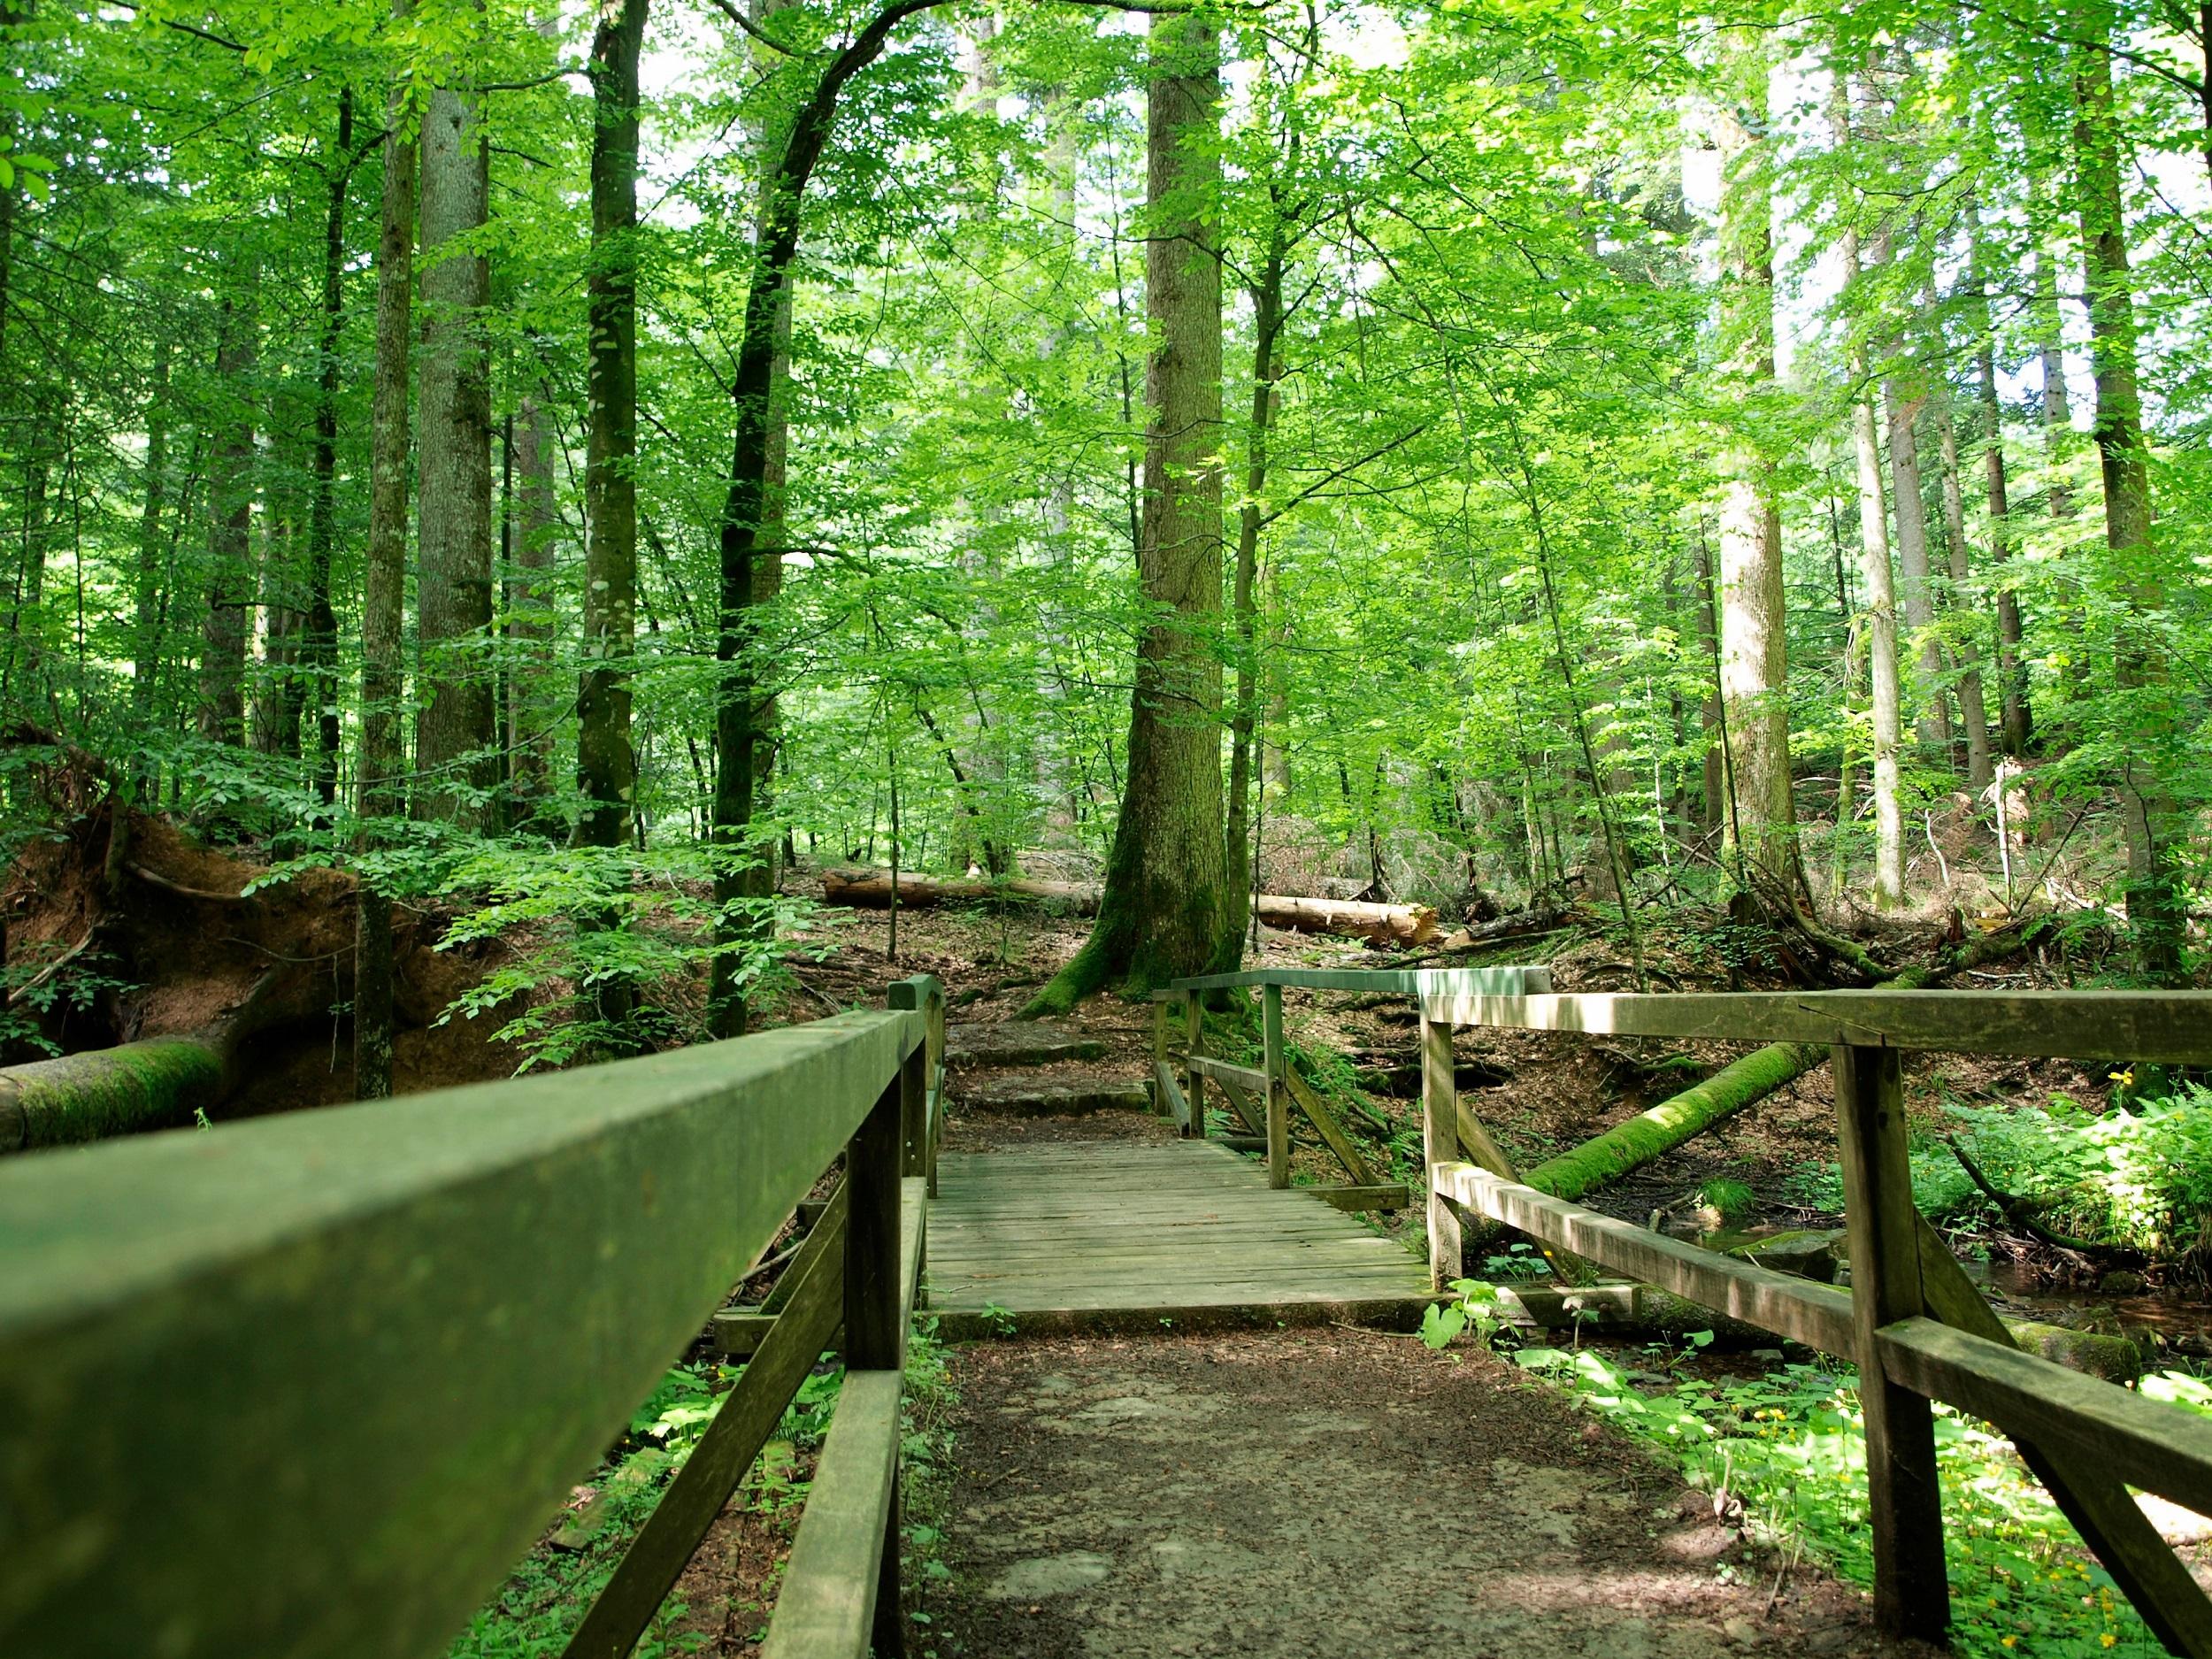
[(1331, 1494)]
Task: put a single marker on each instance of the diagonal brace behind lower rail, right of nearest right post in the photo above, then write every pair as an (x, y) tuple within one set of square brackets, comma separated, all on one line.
[(2087, 1492)]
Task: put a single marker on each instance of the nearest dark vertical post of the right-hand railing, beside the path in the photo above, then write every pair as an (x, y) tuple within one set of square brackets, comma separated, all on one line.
[(1912, 1596)]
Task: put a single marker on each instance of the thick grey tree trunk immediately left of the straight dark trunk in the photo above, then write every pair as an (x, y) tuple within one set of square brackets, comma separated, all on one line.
[(455, 466)]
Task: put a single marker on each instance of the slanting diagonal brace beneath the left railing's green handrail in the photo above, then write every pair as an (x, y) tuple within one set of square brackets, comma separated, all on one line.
[(744, 1423)]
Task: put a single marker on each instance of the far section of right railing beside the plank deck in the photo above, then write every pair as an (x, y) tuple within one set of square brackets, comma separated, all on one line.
[(1264, 1096)]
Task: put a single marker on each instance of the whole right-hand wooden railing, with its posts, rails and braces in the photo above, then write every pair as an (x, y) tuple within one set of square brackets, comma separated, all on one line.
[(1912, 1322)]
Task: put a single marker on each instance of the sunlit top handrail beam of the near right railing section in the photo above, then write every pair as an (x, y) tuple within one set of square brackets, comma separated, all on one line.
[(2105, 1025)]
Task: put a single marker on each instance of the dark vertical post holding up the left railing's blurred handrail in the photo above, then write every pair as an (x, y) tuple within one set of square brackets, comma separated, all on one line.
[(875, 1333)]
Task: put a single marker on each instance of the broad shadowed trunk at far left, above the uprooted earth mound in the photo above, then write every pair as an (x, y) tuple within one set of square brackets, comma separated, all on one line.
[(231, 501)]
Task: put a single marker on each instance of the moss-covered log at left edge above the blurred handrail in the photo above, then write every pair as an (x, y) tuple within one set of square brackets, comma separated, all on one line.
[(114, 1092)]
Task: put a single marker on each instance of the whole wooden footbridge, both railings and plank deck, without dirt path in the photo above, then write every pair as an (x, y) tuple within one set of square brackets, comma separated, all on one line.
[(311, 1386)]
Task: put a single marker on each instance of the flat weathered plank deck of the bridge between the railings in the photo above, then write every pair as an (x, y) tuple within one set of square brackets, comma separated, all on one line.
[(1094, 1238)]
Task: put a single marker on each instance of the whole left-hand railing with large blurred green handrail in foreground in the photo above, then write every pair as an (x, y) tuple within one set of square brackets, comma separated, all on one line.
[(311, 1386)]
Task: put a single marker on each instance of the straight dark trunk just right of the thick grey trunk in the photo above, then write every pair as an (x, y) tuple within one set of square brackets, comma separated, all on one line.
[(607, 769)]
